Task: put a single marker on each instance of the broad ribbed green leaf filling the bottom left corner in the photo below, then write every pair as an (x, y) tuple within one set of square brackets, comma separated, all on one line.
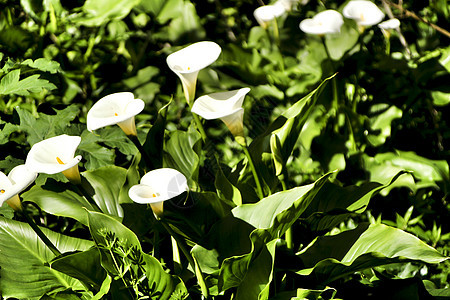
[(23, 255)]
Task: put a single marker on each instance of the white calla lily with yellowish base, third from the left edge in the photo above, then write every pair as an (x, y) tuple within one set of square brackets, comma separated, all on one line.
[(117, 108)]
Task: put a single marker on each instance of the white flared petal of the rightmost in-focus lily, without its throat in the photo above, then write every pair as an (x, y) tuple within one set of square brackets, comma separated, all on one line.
[(219, 105)]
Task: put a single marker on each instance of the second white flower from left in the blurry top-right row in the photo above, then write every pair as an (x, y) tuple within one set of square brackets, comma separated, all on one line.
[(328, 21)]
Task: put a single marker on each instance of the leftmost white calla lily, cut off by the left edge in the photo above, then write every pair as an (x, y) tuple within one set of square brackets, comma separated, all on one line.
[(10, 186)]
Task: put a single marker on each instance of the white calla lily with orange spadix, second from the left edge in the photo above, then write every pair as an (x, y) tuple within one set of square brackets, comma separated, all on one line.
[(55, 155)]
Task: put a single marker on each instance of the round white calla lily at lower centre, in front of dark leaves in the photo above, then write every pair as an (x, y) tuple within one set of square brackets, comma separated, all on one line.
[(158, 186)]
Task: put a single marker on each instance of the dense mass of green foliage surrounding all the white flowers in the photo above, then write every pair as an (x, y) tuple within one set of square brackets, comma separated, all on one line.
[(382, 122)]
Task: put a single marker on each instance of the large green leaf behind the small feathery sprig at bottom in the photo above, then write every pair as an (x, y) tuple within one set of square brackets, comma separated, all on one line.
[(103, 228)]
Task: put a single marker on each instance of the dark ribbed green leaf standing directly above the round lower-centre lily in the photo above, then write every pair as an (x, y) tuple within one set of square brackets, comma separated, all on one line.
[(182, 154)]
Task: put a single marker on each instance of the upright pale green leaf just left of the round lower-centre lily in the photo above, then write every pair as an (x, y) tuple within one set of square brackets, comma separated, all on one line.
[(107, 183)]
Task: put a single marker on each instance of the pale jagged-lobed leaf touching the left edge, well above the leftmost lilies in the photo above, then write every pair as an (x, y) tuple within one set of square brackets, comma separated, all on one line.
[(12, 84)]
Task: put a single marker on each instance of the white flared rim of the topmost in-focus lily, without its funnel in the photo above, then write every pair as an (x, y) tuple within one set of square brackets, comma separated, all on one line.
[(194, 57)]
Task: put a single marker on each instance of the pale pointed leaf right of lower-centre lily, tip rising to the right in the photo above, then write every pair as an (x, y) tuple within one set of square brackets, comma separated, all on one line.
[(279, 211)]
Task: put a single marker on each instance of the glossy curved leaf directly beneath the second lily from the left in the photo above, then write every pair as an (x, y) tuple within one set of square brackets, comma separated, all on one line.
[(64, 203)]
